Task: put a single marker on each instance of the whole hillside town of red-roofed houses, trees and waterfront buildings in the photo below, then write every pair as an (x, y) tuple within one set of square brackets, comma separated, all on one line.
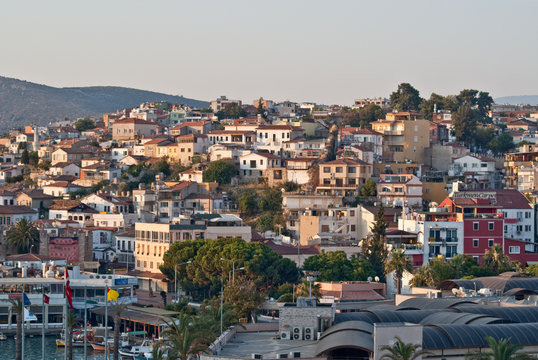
[(331, 227)]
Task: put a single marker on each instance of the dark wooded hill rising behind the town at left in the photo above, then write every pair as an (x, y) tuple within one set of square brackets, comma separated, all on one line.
[(23, 102)]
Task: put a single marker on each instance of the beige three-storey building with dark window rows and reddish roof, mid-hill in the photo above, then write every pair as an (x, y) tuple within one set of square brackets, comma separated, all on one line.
[(343, 177)]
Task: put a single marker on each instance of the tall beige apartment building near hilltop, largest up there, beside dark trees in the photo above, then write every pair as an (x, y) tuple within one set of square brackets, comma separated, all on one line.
[(405, 136)]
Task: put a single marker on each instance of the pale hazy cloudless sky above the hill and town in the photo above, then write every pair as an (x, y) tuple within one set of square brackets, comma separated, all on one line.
[(323, 51)]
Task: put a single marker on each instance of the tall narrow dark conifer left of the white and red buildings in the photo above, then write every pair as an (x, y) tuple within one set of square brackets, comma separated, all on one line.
[(374, 249)]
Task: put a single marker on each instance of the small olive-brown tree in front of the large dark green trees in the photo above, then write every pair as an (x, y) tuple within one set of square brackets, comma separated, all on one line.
[(244, 295)]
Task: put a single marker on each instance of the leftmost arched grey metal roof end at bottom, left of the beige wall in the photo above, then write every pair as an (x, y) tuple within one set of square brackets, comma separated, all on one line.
[(349, 334)]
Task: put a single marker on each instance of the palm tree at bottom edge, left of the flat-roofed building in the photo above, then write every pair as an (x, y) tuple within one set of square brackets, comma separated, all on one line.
[(186, 337)]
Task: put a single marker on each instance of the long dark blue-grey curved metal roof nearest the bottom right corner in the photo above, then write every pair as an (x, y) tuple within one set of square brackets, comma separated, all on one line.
[(470, 336)]
